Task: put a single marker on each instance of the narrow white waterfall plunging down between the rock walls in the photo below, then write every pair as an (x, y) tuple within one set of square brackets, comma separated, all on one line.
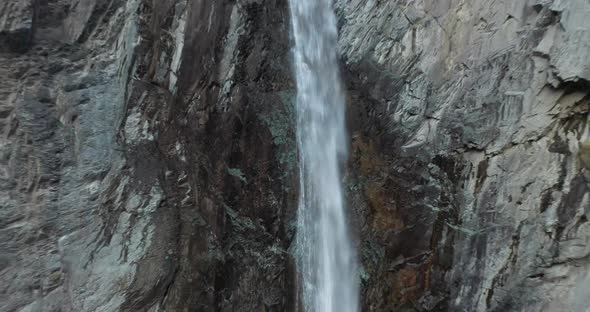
[(326, 257)]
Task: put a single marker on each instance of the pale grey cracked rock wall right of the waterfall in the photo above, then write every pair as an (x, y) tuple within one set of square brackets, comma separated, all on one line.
[(470, 130)]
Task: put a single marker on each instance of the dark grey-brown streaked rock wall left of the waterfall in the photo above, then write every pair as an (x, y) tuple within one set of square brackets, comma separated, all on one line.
[(148, 157)]
